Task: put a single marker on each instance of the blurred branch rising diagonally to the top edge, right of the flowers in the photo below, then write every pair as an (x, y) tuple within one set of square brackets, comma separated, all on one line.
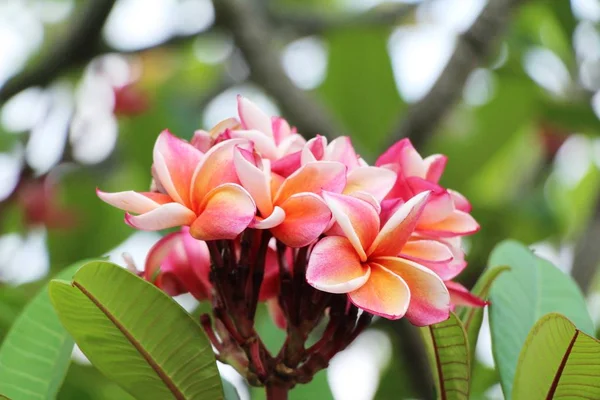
[(472, 49)]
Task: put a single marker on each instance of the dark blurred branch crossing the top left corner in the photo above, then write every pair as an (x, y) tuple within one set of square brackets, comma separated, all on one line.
[(77, 44)]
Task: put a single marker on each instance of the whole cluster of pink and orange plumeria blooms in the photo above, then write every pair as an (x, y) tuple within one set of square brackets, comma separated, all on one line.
[(388, 235)]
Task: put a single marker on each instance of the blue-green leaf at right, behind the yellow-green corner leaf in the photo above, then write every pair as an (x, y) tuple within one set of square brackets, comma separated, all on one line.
[(532, 288)]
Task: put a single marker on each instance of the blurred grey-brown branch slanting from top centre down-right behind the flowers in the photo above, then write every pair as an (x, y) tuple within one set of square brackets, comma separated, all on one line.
[(254, 38)]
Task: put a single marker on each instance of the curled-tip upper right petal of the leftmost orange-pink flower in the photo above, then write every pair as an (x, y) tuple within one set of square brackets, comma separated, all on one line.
[(216, 168)]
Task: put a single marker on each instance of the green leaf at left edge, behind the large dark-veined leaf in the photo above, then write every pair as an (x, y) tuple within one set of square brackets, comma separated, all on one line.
[(35, 356)]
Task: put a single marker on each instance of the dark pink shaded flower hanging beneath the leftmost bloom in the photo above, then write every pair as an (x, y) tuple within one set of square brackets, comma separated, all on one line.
[(179, 264)]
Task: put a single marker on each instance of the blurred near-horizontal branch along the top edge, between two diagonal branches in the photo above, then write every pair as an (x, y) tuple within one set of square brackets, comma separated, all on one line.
[(312, 23)]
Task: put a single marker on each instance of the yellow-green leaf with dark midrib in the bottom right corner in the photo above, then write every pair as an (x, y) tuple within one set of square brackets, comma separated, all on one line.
[(558, 361)]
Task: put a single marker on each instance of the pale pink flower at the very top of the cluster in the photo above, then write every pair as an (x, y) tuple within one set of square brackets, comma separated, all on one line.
[(273, 137)]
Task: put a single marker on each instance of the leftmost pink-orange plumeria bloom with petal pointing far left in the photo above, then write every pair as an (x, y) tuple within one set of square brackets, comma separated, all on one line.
[(196, 189)]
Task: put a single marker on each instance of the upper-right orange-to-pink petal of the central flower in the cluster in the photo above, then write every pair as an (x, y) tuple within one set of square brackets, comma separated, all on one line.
[(313, 177)]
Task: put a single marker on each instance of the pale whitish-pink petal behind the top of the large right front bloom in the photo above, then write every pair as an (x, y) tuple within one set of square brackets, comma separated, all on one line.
[(374, 180)]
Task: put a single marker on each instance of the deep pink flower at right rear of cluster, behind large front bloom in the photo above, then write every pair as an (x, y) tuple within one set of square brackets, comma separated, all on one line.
[(447, 213)]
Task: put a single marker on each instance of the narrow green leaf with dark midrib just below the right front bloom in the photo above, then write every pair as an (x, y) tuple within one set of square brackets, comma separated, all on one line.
[(449, 357)]
